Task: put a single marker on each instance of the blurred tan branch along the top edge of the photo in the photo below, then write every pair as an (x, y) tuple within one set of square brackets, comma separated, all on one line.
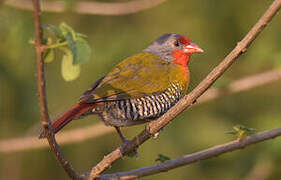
[(98, 8)]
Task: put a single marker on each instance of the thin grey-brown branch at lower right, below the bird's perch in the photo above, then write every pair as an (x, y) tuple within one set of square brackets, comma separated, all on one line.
[(194, 157)]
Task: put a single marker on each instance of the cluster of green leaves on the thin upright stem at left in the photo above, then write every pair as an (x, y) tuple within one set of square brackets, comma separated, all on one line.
[(73, 45)]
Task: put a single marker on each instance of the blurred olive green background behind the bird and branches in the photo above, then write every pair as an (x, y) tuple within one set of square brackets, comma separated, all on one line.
[(216, 26)]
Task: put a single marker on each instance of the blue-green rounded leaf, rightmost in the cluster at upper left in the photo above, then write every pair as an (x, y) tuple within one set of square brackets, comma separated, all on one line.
[(83, 51)]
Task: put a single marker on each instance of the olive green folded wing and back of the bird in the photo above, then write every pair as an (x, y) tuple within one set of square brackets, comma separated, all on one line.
[(137, 76)]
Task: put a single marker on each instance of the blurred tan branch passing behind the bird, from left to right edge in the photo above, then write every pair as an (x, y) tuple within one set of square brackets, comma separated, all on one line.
[(97, 130)]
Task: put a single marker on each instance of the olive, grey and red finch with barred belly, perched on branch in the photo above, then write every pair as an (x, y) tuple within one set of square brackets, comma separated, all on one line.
[(139, 89)]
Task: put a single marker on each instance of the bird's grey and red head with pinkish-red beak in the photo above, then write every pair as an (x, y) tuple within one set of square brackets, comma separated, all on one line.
[(174, 48)]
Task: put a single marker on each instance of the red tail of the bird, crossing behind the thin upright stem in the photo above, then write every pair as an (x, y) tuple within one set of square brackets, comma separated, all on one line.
[(68, 116)]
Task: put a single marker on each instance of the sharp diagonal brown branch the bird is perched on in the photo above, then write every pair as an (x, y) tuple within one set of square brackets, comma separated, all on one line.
[(154, 126)]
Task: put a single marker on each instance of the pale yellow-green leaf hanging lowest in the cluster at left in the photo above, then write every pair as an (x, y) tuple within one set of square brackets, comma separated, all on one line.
[(69, 71)]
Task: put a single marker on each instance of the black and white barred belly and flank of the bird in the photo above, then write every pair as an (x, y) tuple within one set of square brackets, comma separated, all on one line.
[(138, 110)]
